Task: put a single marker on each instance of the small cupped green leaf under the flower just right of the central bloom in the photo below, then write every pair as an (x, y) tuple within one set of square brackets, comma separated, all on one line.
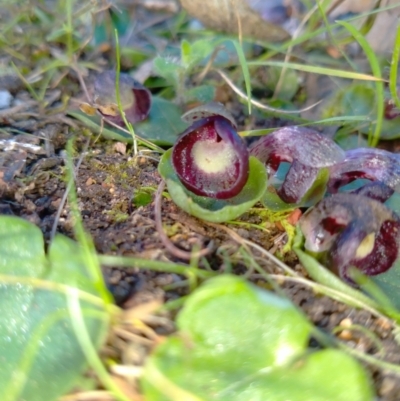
[(273, 202)]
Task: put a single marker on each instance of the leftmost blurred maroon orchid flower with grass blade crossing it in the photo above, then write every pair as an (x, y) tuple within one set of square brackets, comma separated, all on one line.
[(135, 98)]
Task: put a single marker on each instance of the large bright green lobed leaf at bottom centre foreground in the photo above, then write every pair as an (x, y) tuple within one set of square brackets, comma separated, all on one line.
[(237, 342)]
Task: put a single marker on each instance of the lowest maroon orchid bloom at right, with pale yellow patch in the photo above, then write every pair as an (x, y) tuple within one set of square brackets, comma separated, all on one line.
[(355, 231)]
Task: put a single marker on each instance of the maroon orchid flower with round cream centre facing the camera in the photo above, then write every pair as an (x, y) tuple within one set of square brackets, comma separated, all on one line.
[(209, 157)]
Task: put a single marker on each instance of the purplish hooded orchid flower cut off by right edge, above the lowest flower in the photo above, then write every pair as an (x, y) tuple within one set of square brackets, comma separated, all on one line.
[(369, 163)]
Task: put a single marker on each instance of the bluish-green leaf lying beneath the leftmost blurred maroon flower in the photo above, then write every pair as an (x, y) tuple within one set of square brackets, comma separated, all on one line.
[(162, 127)]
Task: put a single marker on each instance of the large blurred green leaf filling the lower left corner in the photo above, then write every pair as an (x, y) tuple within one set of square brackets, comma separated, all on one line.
[(40, 356)]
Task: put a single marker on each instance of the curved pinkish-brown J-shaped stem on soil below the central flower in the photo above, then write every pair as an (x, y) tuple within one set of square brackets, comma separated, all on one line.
[(179, 253)]
